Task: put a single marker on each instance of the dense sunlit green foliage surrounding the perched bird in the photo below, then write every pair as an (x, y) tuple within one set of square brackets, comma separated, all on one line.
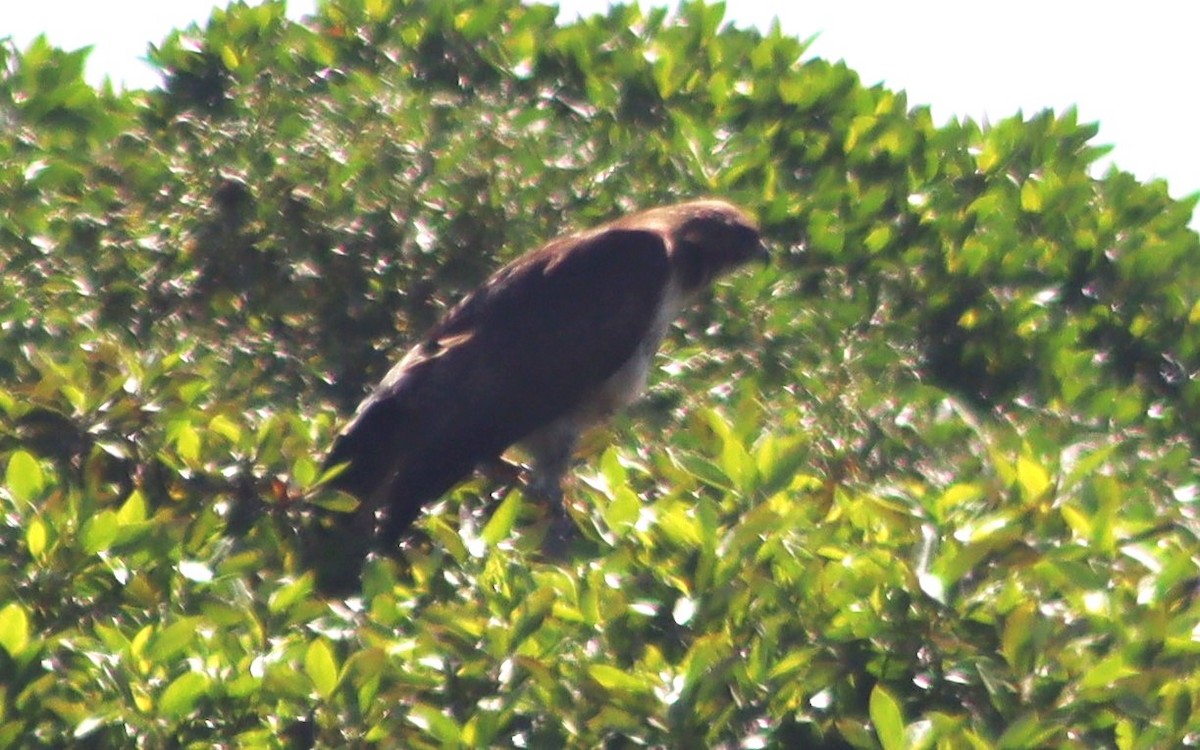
[(931, 481)]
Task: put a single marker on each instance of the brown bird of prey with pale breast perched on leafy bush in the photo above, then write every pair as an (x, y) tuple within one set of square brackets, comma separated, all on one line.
[(549, 346)]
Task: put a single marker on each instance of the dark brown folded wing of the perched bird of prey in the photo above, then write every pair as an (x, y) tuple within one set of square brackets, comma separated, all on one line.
[(527, 347)]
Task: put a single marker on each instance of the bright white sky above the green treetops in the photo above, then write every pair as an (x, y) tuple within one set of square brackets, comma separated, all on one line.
[(1133, 67)]
